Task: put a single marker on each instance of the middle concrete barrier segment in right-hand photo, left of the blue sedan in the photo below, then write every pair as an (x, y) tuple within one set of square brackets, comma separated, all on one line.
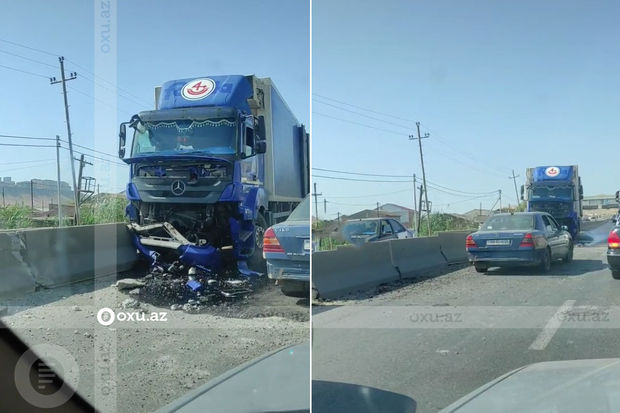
[(414, 256)]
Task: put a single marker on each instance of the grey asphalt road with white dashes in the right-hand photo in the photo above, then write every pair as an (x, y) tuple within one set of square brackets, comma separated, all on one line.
[(436, 340)]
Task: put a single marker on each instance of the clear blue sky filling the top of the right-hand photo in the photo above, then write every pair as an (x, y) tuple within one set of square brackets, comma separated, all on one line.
[(499, 85)]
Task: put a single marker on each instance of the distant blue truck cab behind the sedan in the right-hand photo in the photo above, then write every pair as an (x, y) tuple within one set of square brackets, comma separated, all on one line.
[(556, 190)]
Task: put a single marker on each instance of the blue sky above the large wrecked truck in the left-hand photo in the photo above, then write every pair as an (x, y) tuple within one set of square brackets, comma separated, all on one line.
[(157, 41)]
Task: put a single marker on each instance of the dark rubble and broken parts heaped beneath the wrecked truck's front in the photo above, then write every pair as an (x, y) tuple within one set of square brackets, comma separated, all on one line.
[(181, 288)]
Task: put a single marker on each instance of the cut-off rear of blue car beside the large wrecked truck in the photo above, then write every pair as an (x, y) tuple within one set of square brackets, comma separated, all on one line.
[(287, 247)]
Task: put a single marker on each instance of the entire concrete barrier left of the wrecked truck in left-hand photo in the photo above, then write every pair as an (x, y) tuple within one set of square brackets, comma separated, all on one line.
[(51, 257)]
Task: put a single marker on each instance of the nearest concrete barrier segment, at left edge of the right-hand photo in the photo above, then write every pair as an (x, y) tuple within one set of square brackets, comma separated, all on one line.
[(350, 269)]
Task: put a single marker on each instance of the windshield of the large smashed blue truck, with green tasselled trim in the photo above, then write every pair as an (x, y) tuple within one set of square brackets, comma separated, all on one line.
[(216, 137)]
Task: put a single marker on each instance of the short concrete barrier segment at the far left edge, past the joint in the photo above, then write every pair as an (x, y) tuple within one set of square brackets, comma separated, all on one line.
[(15, 275)]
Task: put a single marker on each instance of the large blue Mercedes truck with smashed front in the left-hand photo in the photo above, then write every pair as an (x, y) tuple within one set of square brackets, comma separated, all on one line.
[(219, 160)]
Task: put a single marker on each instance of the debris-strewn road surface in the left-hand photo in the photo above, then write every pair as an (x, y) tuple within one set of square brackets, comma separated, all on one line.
[(140, 366)]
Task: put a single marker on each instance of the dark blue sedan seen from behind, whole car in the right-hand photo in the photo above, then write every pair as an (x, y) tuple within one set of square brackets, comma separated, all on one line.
[(519, 239)]
